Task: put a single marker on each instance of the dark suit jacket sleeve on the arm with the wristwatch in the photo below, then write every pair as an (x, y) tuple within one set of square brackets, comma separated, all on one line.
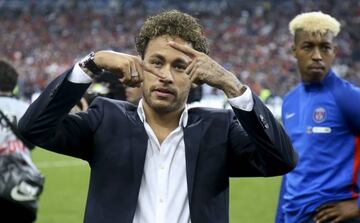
[(48, 124)]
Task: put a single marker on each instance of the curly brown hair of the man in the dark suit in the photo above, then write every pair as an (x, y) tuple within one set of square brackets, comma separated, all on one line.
[(172, 23)]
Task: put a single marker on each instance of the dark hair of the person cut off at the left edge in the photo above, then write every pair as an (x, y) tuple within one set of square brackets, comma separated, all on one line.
[(8, 76)]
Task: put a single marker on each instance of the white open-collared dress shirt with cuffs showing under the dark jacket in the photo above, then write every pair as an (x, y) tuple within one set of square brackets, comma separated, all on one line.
[(163, 195)]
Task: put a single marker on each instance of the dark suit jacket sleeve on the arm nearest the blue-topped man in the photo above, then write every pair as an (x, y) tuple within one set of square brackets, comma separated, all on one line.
[(267, 150)]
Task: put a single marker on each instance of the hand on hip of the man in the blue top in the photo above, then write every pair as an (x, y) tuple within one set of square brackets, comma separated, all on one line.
[(337, 212)]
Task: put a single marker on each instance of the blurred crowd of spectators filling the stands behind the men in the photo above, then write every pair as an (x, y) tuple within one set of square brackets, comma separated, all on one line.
[(43, 38)]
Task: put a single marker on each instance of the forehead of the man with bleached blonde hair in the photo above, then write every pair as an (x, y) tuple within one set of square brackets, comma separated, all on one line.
[(314, 37)]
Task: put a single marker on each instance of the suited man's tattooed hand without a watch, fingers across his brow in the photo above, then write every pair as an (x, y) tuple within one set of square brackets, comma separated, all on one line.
[(204, 69)]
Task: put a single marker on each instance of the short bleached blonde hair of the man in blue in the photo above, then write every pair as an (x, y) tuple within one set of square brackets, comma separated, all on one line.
[(314, 22)]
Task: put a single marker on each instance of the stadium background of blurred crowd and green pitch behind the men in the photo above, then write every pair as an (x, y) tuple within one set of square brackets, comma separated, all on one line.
[(43, 38)]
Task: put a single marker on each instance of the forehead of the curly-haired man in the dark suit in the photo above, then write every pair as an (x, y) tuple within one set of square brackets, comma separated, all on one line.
[(159, 46)]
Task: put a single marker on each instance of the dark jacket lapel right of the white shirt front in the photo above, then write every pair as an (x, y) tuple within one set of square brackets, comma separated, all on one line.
[(192, 136)]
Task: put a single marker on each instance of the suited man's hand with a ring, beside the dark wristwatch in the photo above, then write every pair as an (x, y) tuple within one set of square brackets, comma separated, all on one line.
[(130, 69)]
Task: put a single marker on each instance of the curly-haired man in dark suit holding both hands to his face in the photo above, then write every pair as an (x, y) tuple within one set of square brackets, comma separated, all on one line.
[(160, 161)]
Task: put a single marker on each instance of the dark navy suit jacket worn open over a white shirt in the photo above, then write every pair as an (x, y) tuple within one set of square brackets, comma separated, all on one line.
[(111, 137)]
